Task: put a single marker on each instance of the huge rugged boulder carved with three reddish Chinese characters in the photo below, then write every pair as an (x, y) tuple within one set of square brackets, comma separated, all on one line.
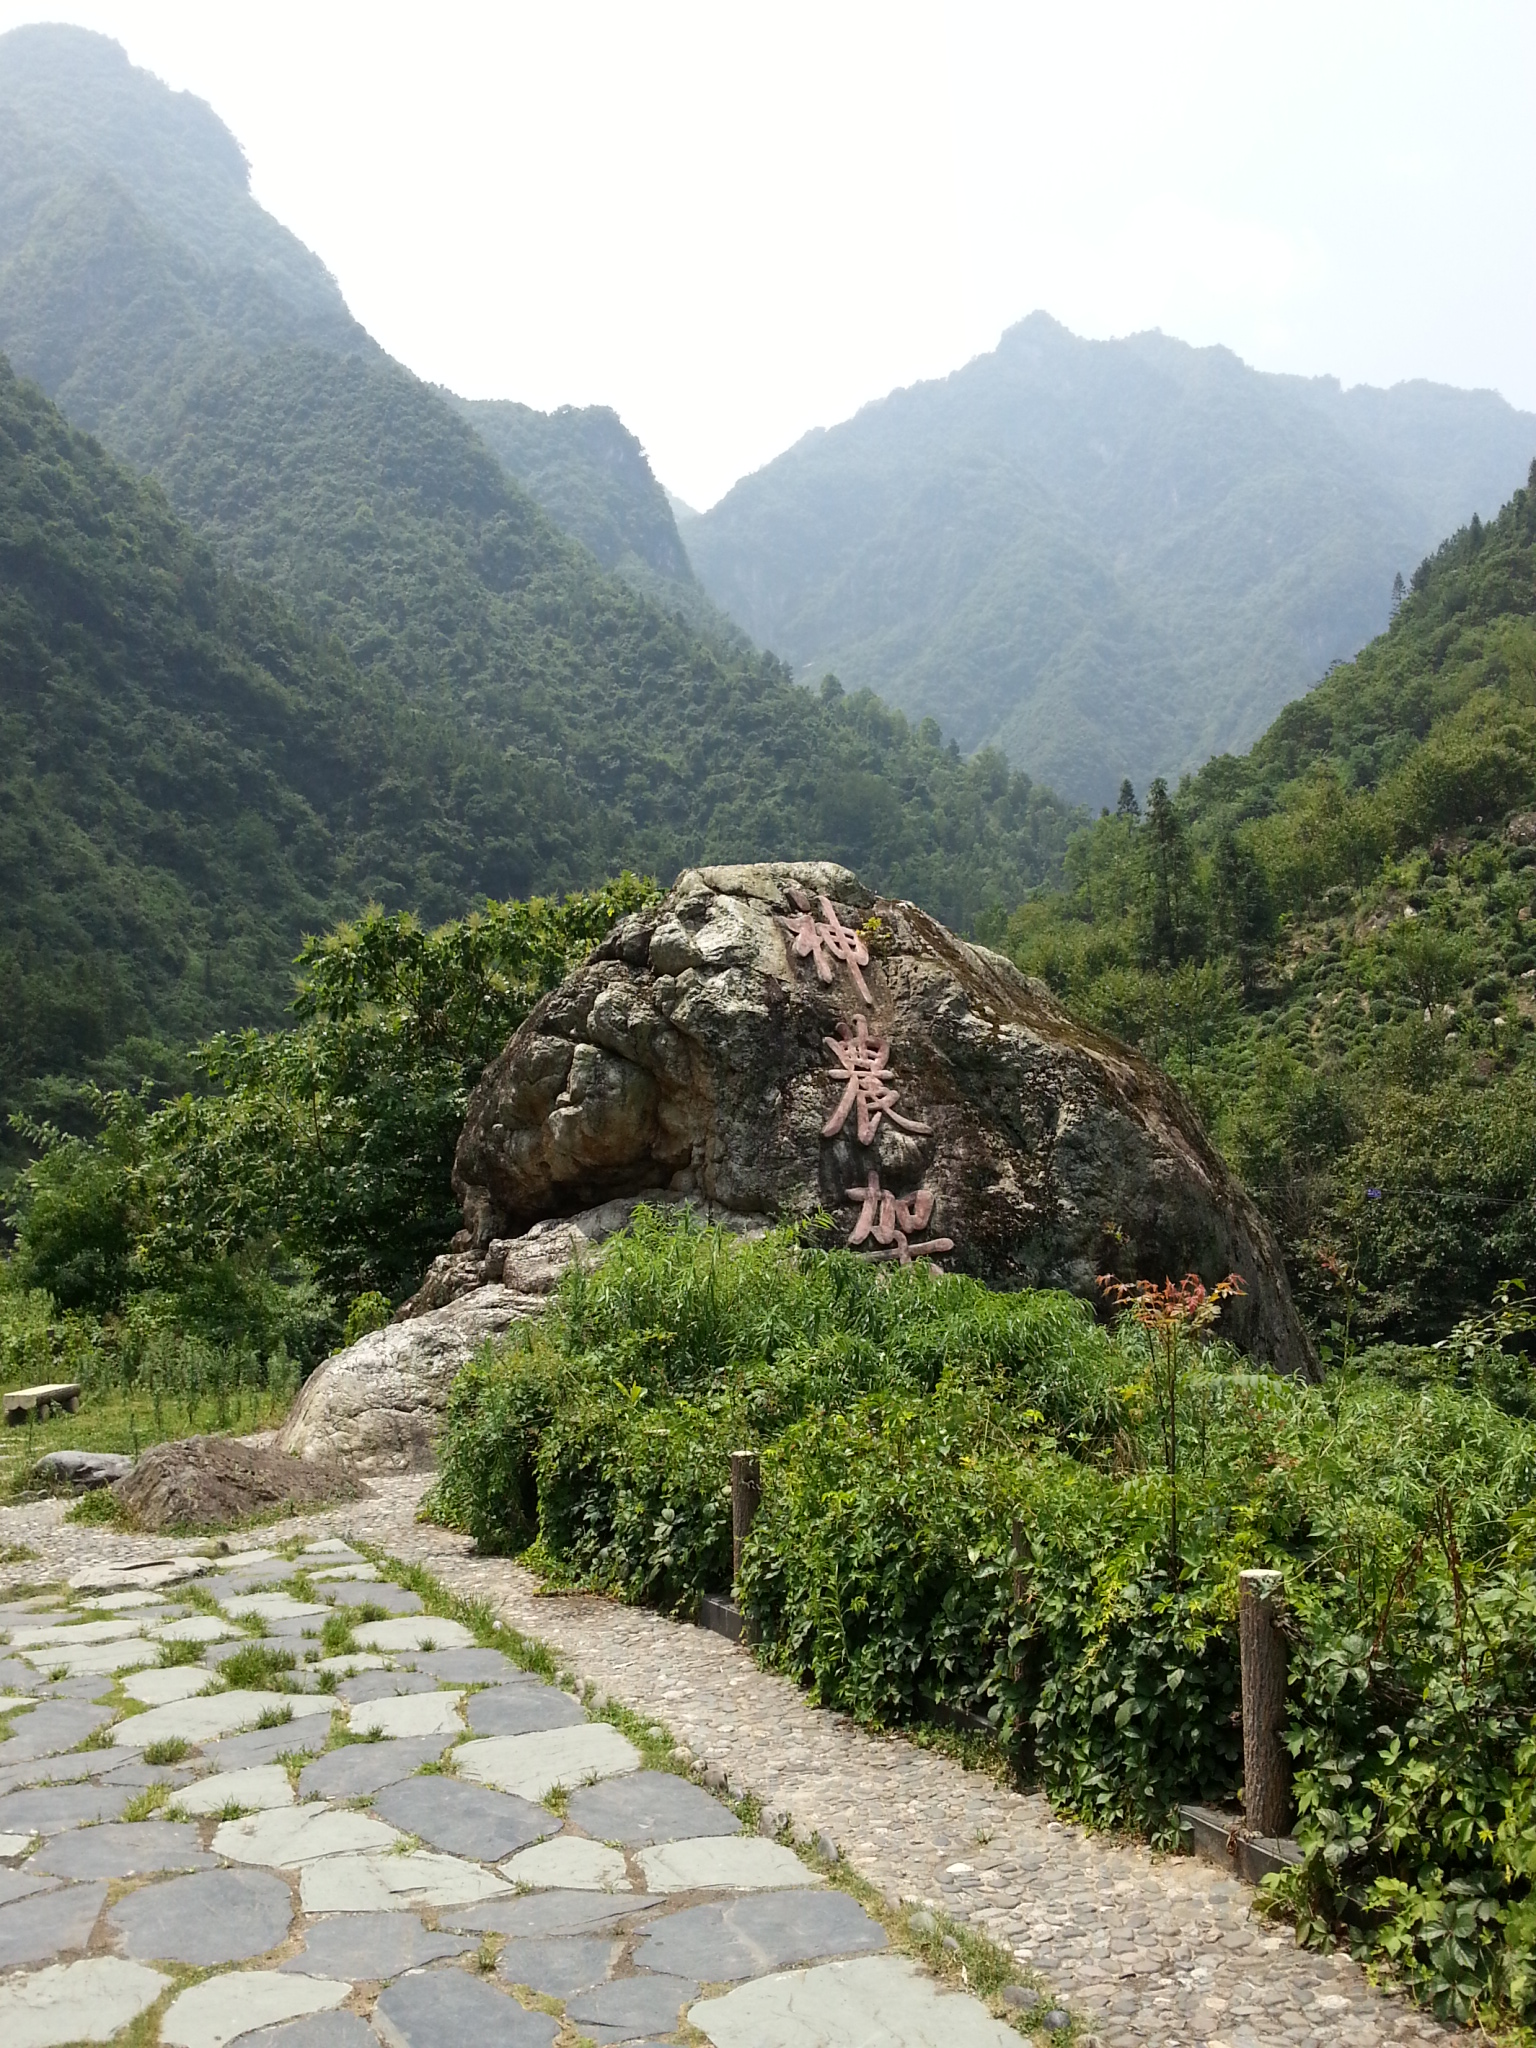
[(771, 1041)]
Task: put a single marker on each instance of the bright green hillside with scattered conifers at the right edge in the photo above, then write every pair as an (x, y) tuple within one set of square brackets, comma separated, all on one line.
[(1332, 943)]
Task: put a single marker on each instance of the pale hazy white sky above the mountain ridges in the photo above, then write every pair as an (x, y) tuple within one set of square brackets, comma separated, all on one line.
[(736, 222)]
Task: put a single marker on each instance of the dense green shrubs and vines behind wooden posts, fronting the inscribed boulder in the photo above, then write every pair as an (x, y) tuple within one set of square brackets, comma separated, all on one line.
[(968, 1502)]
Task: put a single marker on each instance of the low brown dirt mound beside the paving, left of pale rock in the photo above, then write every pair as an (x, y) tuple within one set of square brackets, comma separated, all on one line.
[(212, 1482)]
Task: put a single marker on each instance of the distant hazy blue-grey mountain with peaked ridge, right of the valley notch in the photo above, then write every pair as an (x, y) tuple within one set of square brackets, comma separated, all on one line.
[(1105, 558)]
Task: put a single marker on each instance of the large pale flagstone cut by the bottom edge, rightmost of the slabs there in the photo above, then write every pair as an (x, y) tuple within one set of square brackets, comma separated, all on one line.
[(876, 2002)]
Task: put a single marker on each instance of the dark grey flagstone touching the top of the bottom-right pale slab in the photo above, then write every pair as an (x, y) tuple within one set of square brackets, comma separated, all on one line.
[(759, 1934)]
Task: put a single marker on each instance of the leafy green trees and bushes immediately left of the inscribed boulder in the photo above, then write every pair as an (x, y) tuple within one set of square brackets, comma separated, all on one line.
[(306, 1185)]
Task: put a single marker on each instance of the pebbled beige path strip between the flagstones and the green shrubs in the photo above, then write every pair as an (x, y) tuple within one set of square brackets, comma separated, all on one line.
[(1152, 1953)]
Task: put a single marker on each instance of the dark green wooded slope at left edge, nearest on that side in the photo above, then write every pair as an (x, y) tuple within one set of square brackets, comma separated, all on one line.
[(189, 781)]
